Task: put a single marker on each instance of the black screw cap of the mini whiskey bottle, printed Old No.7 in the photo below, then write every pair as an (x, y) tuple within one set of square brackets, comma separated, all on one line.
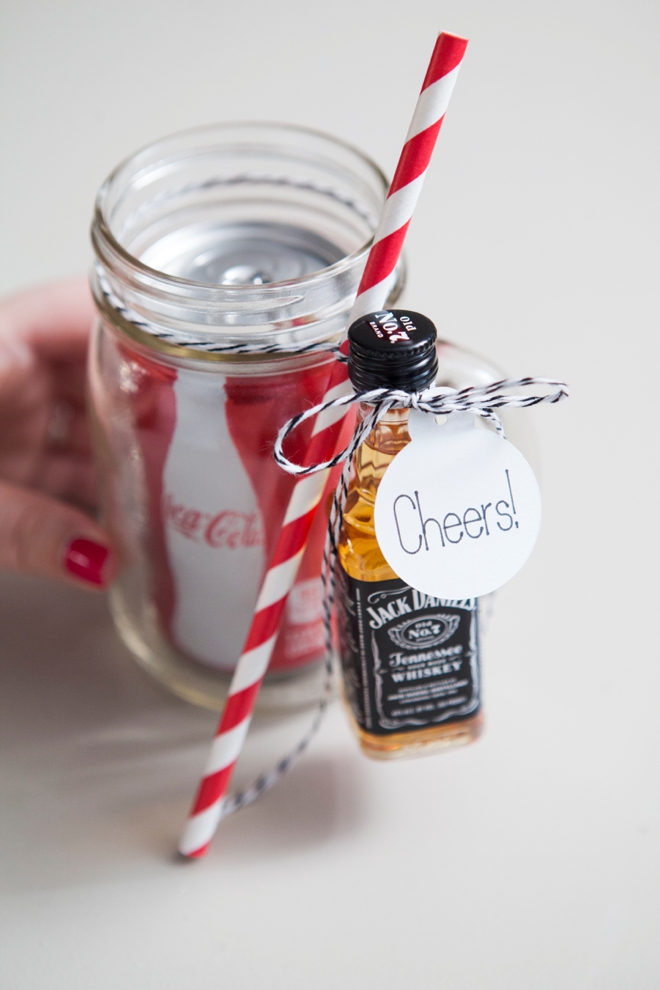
[(392, 349)]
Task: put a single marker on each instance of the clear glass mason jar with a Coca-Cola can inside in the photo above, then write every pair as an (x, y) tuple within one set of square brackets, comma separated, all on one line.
[(228, 258)]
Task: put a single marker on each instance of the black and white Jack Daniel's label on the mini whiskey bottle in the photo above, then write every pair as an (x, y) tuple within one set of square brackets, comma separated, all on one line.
[(409, 660)]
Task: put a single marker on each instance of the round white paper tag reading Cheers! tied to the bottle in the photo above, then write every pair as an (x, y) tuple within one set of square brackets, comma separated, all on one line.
[(458, 510)]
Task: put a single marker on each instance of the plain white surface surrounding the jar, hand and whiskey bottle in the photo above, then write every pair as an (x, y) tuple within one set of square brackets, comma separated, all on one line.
[(530, 860)]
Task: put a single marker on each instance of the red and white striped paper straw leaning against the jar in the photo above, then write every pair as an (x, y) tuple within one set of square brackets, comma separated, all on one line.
[(280, 577)]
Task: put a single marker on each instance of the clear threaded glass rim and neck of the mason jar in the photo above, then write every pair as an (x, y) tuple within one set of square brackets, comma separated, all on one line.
[(330, 189)]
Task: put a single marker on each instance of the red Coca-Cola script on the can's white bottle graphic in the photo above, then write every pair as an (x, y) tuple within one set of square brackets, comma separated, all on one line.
[(228, 528)]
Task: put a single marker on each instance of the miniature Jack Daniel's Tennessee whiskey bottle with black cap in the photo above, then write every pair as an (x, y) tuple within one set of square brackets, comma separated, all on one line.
[(410, 662)]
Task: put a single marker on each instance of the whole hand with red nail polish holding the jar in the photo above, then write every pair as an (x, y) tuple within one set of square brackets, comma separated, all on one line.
[(46, 470)]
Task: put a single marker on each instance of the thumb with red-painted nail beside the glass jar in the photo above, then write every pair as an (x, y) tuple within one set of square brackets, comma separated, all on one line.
[(40, 535)]
